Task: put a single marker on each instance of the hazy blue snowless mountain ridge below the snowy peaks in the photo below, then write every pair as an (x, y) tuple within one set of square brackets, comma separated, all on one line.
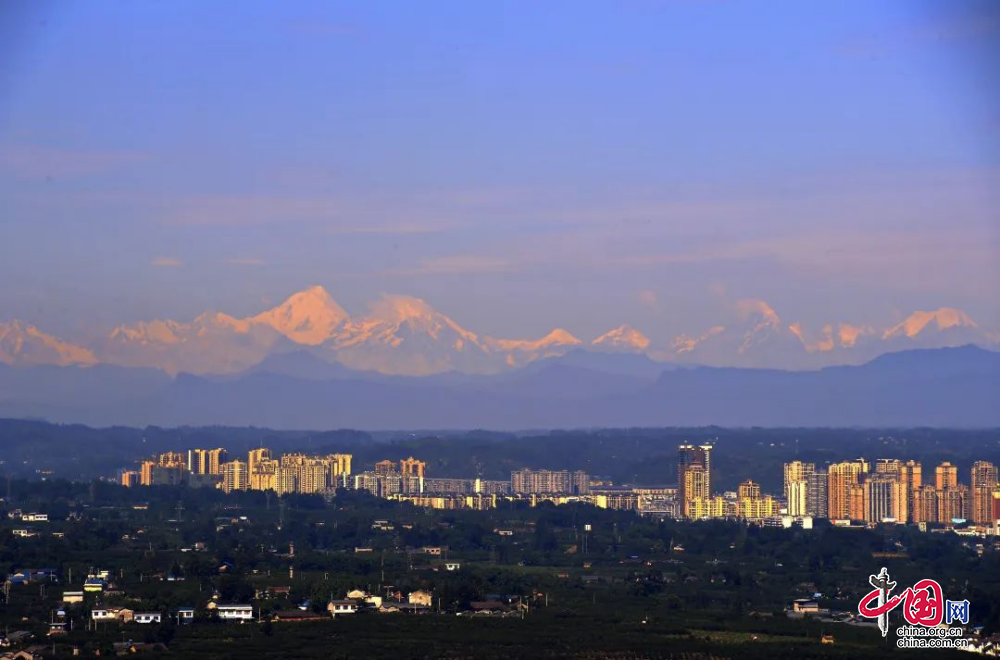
[(949, 387)]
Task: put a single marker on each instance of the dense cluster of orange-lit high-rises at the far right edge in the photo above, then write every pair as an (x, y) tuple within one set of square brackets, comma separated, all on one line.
[(891, 490)]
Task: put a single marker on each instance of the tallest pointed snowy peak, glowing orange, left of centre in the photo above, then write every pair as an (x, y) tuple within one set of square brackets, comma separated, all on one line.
[(309, 317)]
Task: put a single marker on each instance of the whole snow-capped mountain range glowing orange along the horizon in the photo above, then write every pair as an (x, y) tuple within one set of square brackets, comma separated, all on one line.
[(406, 336)]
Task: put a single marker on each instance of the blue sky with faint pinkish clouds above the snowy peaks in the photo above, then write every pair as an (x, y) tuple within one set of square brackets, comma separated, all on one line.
[(520, 165)]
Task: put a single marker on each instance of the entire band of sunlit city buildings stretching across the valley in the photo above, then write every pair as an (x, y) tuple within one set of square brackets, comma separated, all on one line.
[(888, 490)]
